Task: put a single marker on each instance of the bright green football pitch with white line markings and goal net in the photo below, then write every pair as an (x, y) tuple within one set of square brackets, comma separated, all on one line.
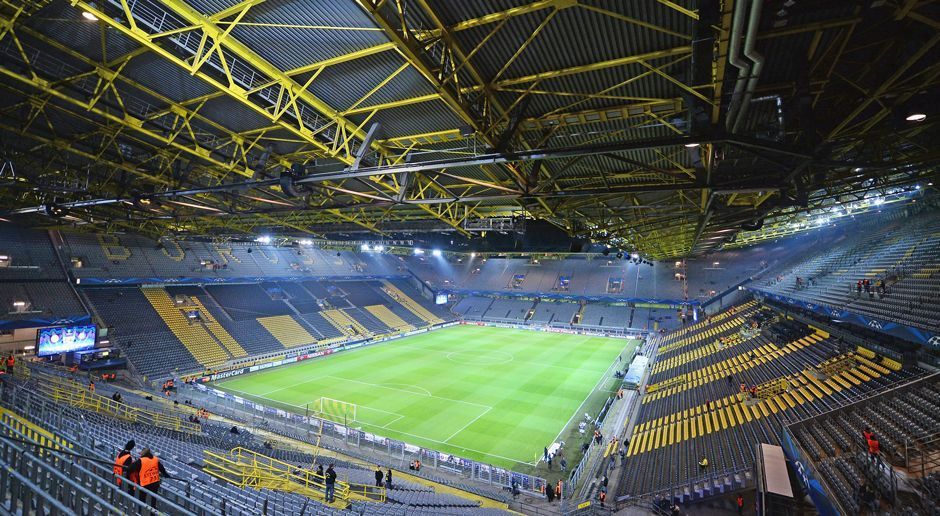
[(496, 395)]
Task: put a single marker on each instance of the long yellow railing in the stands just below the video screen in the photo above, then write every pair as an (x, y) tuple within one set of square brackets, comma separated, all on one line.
[(78, 395)]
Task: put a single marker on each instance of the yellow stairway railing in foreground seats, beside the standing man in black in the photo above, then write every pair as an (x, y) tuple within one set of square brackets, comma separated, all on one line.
[(245, 468)]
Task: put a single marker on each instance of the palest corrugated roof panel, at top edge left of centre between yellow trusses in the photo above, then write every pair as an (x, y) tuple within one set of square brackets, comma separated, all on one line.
[(289, 48)]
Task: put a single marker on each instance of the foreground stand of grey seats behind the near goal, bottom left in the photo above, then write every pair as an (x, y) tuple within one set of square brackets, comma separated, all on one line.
[(205, 460)]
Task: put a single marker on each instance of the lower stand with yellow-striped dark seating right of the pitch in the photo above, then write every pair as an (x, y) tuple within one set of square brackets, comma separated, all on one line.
[(694, 406)]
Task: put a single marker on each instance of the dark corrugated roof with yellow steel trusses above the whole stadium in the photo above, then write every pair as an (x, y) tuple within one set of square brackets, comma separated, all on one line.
[(587, 114)]
